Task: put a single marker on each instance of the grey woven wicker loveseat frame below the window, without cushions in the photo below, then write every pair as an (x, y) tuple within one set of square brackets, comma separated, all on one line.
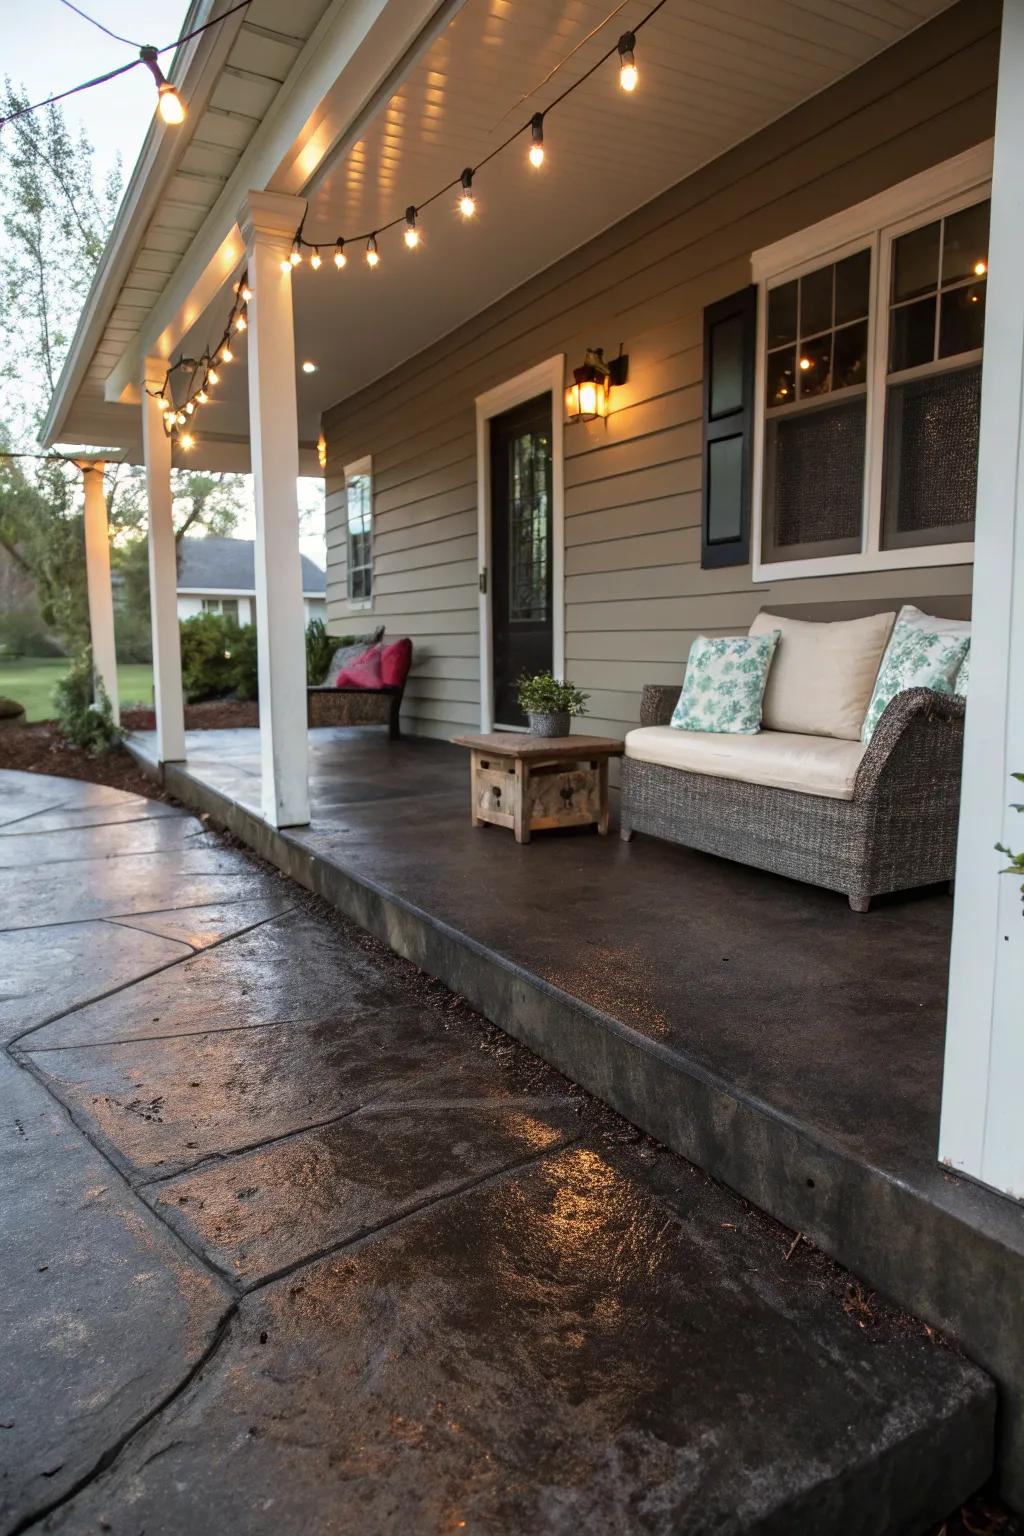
[(896, 833)]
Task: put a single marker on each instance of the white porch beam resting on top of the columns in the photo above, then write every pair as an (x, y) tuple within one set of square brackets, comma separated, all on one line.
[(351, 59)]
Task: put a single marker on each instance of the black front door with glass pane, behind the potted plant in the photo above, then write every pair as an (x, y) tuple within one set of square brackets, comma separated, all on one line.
[(521, 551)]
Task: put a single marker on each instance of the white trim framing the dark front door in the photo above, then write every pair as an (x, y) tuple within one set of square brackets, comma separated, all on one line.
[(541, 380)]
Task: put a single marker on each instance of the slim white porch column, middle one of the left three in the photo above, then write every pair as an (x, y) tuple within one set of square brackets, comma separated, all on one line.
[(164, 574)]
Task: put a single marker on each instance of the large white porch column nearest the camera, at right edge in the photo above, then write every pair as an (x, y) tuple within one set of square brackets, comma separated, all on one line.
[(983, 1128)]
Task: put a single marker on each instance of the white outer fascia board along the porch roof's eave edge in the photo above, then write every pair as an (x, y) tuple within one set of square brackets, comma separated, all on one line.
[(197, 68)]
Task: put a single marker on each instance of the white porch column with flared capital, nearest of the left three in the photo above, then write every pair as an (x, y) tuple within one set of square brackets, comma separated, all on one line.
[(268, 222)]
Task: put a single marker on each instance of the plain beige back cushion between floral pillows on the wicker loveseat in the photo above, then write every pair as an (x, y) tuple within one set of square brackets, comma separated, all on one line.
[(824, 675)]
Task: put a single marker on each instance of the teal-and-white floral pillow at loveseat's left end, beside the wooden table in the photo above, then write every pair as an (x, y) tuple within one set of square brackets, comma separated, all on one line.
[(725, 684)]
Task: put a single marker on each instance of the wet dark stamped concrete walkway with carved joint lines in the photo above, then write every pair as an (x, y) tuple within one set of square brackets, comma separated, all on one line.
[(296, 1243)]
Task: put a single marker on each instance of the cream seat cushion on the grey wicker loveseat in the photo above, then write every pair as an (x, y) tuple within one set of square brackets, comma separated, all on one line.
[(779, 760)]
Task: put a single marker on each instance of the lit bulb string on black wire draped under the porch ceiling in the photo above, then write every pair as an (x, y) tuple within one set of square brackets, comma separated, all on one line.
[(179, 417)]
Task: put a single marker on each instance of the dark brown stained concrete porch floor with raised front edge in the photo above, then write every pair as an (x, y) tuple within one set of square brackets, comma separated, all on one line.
[(756, 1025)]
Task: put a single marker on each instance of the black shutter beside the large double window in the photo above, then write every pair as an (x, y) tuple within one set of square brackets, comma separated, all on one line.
[(728, 442)]
